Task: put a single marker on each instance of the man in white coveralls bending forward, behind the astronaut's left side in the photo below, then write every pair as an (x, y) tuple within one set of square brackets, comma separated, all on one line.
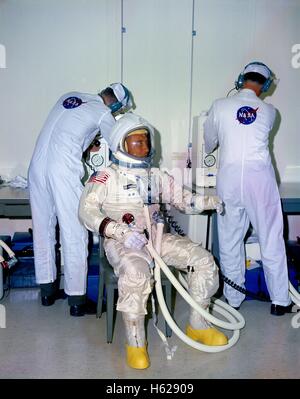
[(55, 188)]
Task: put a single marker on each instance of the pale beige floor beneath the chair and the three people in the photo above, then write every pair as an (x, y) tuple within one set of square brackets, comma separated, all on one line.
[(45, 343)]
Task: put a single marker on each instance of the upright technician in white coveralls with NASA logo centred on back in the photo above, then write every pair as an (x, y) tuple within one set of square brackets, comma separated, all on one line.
[(246, 182)]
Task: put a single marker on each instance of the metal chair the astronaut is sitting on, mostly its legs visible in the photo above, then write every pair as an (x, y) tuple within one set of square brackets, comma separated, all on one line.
[(108, 279)]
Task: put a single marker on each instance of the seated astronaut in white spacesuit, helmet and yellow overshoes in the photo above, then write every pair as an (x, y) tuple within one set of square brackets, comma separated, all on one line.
[(112, 205)]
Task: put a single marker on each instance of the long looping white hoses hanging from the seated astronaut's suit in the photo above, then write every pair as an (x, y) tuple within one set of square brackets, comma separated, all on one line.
[(218, 305)]
